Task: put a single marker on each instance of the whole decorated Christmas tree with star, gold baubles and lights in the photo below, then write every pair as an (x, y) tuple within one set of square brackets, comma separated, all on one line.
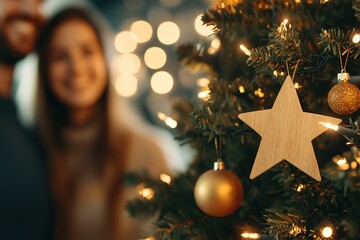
[(274, 68)]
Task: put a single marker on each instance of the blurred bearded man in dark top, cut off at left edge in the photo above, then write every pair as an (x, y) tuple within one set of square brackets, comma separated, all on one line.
[(25, 206)]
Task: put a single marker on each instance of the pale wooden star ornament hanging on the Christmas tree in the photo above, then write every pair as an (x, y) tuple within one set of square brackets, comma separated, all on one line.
[(286, 133)]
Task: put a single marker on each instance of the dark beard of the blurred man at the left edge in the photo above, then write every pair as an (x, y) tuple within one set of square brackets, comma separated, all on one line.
[(8, 55)]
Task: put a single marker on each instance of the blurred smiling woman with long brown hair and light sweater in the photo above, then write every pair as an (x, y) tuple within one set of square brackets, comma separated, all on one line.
[(90, 144)]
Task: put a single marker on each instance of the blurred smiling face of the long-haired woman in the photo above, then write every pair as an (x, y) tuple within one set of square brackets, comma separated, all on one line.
[(77, 68)]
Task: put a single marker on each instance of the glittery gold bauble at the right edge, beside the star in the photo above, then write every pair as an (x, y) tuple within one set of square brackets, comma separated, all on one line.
[(344, 98)]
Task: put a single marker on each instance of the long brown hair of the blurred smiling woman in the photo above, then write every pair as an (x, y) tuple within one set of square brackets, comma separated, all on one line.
[(52, 118)]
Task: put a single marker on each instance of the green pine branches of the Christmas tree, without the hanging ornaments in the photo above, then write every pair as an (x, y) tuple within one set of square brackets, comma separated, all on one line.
[(286, 201)]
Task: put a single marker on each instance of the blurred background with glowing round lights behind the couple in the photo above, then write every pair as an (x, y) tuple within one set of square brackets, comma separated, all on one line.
[(143, 41)]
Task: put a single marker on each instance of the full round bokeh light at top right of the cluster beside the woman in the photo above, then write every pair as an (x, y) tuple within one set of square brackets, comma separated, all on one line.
[(168, 33)]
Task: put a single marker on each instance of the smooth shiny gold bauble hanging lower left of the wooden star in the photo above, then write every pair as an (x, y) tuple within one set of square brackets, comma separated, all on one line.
[(218, 193)]
